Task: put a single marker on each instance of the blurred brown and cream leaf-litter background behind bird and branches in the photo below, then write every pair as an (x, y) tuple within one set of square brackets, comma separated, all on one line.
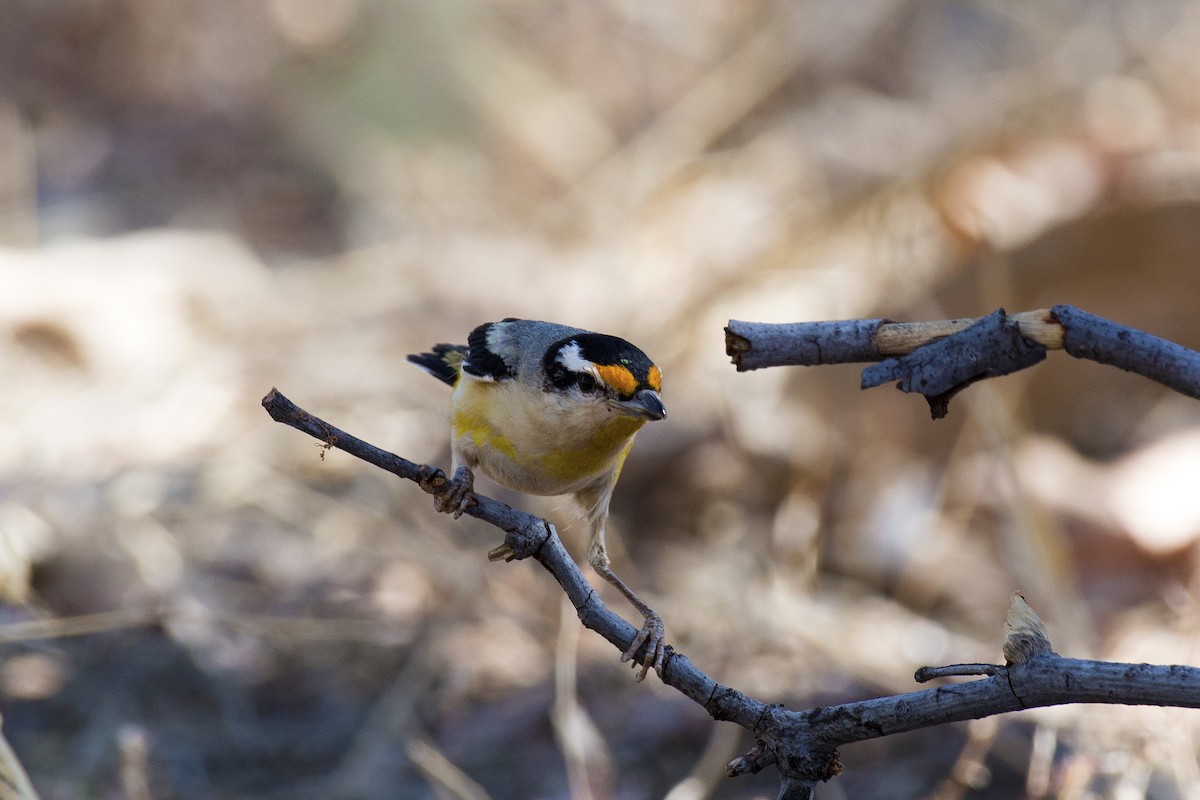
[(201, 200)]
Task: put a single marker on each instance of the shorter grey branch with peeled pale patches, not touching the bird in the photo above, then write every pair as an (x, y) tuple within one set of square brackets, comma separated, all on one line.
[(939, 359)]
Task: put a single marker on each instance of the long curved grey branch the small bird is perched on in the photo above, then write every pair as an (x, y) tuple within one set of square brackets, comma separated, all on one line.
[(803, 745)]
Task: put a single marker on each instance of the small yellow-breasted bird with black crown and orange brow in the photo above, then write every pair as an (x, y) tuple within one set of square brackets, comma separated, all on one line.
[(550, 410)]
